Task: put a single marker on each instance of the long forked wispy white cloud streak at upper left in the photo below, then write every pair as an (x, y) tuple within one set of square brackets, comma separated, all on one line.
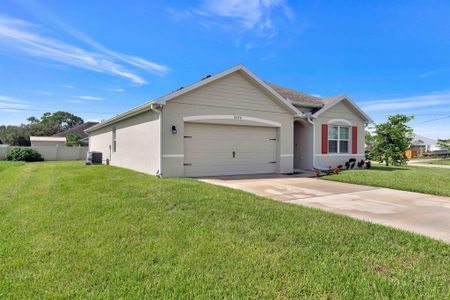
[(24, 37)]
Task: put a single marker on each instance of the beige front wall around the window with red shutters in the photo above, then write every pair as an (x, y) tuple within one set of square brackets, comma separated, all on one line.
[(335, 116)]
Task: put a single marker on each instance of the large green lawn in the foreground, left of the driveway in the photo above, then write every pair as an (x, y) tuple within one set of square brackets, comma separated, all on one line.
[(74, 231)]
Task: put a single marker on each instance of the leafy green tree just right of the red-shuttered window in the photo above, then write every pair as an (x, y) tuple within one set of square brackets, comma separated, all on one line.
[(392, 139)]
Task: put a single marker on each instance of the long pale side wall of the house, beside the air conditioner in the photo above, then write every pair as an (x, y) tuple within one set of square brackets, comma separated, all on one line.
[(137, 142)]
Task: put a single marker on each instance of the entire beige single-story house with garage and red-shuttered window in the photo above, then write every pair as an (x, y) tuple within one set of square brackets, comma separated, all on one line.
[(232, 123)]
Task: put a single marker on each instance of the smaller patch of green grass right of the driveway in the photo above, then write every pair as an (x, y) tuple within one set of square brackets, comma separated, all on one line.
[(415, 179)]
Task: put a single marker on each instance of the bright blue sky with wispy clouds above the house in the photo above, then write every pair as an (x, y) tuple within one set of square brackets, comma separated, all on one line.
[(100, 58)]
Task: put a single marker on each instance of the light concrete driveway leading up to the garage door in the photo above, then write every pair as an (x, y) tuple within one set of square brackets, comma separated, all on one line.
[(424, 214)]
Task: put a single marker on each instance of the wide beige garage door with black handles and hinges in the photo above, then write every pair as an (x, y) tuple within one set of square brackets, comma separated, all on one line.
[(227, 150)]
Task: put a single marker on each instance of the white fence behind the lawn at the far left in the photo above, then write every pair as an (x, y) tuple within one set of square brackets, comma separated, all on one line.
[(52, 152)]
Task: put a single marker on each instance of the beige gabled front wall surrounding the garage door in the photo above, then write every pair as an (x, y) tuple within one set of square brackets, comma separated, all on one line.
[(233, 95)]
